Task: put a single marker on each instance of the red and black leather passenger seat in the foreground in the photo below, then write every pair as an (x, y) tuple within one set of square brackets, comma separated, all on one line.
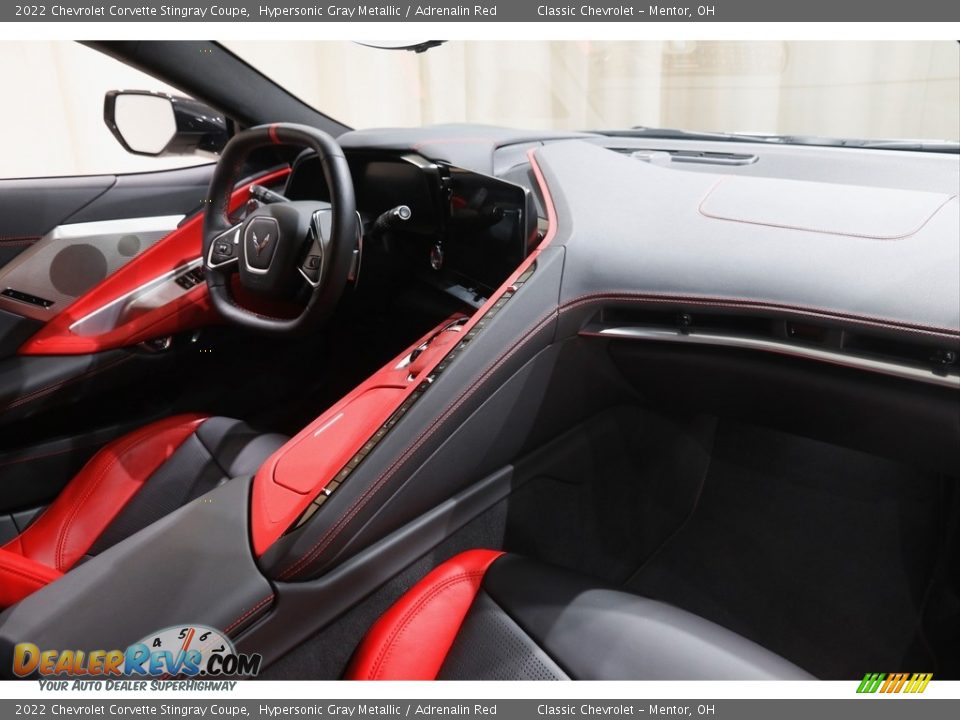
[(484, 615)]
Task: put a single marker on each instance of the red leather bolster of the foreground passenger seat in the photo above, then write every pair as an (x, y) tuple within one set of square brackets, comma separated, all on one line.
[(411, 640)]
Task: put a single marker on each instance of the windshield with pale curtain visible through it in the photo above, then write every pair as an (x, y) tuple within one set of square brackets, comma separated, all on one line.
[(878, 90)]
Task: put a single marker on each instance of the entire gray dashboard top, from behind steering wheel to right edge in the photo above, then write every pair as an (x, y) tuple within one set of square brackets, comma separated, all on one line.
[(854, 235)]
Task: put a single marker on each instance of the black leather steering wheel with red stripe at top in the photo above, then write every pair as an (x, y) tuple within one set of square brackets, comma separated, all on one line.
[(280, 246)]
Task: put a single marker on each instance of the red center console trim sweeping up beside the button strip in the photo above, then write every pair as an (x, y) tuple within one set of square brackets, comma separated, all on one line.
[(296, 480)]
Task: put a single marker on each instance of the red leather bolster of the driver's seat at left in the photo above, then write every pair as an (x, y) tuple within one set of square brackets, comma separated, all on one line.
[(71, 524)]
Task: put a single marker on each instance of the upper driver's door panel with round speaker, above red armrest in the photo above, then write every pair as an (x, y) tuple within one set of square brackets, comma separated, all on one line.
[(59, 237)]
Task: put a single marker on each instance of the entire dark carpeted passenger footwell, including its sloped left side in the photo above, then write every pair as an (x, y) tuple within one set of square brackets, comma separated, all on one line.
[(823, 554)]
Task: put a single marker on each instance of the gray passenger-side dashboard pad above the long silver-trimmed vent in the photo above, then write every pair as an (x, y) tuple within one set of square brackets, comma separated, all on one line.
[(634, 228)]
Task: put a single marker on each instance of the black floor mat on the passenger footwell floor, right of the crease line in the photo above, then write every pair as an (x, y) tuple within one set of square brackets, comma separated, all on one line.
[(822, 554)]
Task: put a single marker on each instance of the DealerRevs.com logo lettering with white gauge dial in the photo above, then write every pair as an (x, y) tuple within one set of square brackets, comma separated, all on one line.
[(182, 651)]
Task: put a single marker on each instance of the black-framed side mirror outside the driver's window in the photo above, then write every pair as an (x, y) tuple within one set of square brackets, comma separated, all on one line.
[(155, 124)]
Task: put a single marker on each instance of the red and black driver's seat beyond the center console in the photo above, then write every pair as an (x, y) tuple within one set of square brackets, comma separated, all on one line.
[(130, 483)]
